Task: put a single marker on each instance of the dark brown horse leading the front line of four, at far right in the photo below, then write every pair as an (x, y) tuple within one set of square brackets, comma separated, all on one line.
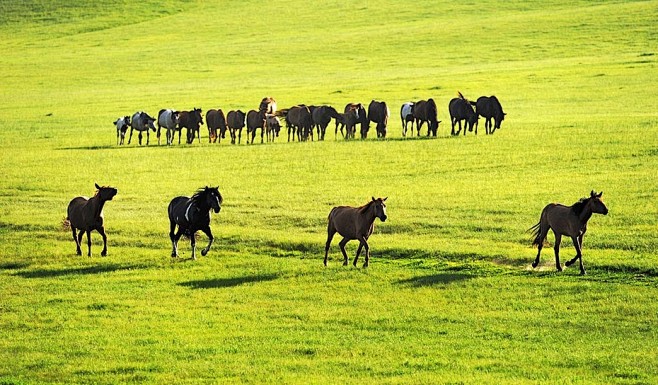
[(570, 221)]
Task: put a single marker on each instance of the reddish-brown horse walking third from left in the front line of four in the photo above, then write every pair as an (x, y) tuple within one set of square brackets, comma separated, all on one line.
[(354, 223)]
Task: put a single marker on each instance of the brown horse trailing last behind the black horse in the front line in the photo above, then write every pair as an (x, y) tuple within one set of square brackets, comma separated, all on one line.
[(85, 215)]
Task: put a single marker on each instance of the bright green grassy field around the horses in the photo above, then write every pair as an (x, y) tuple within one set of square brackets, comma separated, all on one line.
[(449, 297)]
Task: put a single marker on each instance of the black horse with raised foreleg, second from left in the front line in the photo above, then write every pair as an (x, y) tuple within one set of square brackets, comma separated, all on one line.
[(192, 215)]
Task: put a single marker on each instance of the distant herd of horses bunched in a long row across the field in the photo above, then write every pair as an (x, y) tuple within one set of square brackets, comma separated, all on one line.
[(302, 121)]
